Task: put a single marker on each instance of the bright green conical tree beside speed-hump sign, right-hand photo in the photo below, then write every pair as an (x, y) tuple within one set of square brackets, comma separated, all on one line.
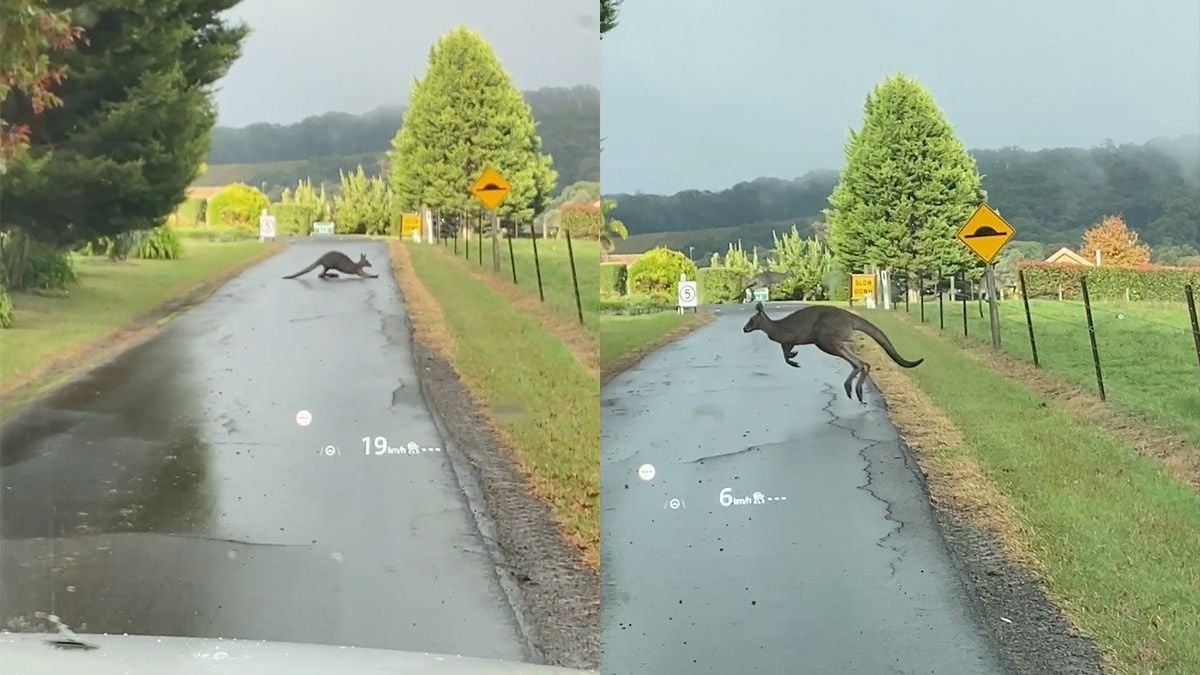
[(908, 186)]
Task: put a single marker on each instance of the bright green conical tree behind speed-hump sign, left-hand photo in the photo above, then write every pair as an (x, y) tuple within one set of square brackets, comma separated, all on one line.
[(466, 116)]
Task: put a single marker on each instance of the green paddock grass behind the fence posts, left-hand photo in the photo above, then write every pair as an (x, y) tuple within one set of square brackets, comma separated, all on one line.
[(556, 273)]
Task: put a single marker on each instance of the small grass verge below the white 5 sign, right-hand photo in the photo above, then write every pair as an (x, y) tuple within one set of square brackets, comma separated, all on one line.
[(626, 341)]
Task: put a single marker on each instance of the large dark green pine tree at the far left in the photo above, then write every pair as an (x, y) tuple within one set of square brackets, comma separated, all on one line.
[(135, 122)]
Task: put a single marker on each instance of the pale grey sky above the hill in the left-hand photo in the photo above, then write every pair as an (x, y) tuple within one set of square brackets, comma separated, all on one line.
[(309, 58)]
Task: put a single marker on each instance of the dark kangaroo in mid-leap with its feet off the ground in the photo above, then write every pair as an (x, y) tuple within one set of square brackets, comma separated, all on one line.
[(831, 330)]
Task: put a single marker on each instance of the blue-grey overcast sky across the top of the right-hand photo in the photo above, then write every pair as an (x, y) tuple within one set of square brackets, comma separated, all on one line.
[(703, 94)]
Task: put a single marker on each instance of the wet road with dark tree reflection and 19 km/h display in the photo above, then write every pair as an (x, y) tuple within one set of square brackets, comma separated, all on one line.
[(173, 492)]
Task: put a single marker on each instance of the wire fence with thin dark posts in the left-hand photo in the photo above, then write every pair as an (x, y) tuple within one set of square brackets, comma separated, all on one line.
[(563, 272)]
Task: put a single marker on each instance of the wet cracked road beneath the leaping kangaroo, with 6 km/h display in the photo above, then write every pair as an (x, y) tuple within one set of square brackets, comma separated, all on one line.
[(839, 569)]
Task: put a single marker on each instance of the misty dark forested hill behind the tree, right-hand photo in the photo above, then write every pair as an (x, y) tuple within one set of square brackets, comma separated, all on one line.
[(1049, 196)]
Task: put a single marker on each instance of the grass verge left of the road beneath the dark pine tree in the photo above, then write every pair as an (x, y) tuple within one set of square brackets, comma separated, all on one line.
[(109, 297)]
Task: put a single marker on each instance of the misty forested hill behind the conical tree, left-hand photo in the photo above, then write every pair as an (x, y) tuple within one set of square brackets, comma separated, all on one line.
[(279, 156)]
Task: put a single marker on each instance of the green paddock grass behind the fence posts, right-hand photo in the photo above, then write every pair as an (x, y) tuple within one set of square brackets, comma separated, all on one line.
[(1148, 354)]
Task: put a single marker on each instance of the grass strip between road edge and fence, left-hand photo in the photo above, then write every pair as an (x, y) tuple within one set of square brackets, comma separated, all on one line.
[(514, 365)]
